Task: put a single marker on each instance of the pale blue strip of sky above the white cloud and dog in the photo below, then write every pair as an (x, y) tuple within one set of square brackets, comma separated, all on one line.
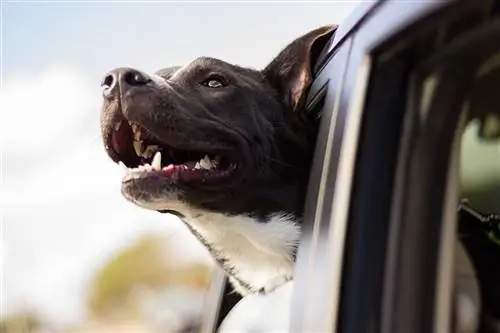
[(97, 36)]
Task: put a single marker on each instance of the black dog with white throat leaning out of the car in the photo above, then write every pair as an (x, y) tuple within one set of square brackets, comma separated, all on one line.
[(228, 149)]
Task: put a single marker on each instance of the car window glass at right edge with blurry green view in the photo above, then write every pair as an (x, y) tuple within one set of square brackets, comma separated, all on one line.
[(479, 222)]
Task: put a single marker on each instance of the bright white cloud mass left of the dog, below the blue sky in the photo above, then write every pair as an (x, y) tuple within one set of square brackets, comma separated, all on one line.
[(62, 221)]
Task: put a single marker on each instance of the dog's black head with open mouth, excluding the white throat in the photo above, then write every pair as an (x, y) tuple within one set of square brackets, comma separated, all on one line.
[(213, 135)]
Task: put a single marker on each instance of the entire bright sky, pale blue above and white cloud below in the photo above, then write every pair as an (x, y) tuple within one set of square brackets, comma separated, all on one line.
[(62, 212)]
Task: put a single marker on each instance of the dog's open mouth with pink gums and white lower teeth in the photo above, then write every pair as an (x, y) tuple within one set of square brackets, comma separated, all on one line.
[(142, 155)]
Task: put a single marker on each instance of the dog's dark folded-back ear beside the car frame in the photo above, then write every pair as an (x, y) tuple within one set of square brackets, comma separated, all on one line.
[(291, 71)]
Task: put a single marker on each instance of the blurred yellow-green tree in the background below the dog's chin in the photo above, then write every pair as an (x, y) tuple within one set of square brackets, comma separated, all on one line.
[(145, 263)]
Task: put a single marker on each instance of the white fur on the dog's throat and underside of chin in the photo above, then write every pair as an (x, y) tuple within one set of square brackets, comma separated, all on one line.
[(257, 255)]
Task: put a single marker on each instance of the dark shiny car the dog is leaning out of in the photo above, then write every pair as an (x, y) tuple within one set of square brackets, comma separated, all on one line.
[(408, 97)]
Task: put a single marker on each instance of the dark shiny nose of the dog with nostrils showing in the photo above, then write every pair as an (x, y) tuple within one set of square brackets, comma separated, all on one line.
[(122, 78)]
